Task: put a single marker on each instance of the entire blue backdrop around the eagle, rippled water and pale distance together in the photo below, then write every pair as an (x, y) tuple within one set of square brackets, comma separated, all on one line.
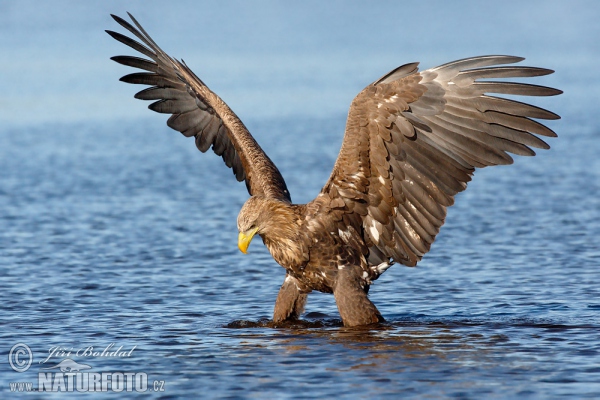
[(116, 230)]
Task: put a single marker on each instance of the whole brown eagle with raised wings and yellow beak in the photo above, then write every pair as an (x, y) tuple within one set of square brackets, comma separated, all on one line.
[(413, 140)]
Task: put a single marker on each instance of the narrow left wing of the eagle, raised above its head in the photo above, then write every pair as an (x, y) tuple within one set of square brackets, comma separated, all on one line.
[(198, 112)]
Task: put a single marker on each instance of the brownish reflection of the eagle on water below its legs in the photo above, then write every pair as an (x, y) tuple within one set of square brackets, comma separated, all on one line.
[(387, 347)]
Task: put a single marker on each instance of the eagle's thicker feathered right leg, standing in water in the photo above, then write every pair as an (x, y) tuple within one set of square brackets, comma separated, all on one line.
[(351, 297)]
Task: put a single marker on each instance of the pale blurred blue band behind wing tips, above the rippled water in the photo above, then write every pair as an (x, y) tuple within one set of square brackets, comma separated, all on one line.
[(271, 58)]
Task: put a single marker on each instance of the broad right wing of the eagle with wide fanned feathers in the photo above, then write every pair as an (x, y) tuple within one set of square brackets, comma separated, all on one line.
[(413, 140)]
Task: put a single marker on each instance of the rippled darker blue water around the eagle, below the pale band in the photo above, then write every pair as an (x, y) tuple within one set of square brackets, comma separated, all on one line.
[(128, 236)]
